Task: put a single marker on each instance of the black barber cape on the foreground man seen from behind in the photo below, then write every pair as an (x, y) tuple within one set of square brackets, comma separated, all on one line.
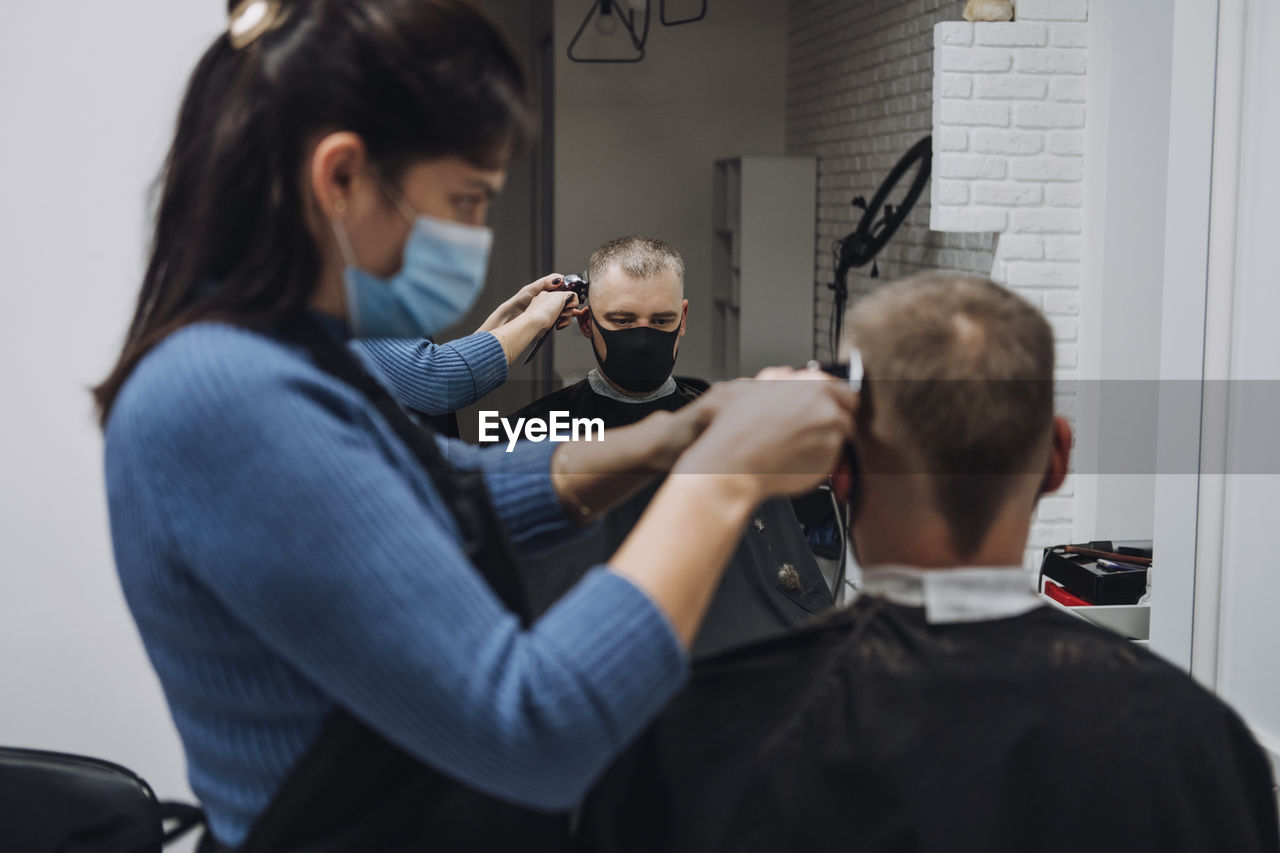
[(877, 732)]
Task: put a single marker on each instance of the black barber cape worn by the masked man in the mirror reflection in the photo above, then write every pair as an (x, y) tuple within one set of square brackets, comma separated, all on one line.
[(771, 585)]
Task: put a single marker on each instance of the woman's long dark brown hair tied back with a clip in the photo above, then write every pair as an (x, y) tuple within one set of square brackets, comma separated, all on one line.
[(413, 79)]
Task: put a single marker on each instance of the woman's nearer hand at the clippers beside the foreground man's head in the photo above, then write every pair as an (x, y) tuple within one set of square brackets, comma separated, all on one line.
[(778, 435)]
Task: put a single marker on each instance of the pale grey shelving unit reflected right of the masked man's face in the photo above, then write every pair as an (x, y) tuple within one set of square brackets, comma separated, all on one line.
[(764, 238)]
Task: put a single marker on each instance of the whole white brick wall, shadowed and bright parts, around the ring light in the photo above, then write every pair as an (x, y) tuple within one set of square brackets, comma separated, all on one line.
[(1007, 107)]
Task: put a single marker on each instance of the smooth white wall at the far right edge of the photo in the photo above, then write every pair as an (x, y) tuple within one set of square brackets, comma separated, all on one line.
[(1215, 596)]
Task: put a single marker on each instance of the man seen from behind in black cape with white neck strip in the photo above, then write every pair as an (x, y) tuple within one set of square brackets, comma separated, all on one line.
[(947, 709)]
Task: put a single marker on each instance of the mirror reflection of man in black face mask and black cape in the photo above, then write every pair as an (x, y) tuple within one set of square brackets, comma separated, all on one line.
[(637, 316)]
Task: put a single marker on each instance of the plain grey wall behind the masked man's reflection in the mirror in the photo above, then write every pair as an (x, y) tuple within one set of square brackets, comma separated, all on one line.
[(636, 145)]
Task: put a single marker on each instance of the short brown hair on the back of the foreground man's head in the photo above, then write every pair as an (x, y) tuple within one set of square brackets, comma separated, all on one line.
[(961, 389)]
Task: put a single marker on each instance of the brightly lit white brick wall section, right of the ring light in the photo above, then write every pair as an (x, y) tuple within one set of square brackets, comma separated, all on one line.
[(1009, 157)]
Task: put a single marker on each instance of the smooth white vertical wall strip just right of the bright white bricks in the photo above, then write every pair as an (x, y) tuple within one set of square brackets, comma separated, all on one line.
[(1127, 176)]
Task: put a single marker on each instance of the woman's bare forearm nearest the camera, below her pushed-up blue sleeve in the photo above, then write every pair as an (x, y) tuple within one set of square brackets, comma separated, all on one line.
[(678, 551)]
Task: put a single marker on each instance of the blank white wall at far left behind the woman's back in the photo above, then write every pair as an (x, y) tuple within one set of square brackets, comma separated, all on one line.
[(89, 93)]
